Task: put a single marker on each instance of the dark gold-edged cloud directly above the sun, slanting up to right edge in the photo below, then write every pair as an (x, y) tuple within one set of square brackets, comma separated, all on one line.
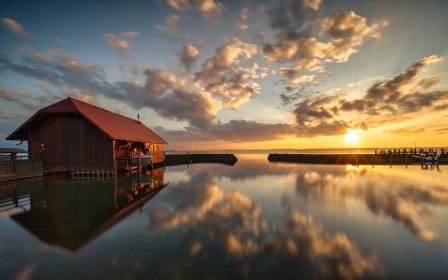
[(390, 100)]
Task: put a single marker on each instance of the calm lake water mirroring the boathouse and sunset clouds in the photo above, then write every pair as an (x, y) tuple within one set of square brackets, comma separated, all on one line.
[(253, 220)]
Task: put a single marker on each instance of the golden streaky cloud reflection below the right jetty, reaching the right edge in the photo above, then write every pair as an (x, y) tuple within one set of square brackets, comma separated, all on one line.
[(405, 203)]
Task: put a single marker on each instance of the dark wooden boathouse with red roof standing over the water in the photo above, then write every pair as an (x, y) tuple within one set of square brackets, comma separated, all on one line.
[(73, 135)]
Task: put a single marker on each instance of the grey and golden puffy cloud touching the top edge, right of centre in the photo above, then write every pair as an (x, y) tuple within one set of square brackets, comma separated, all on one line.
[(300, 37)]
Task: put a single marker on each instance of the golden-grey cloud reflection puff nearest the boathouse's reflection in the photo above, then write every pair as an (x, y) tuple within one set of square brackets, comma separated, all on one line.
[(232, 220)]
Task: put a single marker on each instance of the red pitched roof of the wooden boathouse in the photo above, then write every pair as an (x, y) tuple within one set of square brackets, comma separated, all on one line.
[(114, 125)]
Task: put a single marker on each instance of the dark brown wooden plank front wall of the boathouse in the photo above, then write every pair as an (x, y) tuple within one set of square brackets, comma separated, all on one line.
[(69, 142)]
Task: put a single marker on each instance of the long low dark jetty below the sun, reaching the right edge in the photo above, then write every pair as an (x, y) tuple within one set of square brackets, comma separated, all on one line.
[(384, 157)]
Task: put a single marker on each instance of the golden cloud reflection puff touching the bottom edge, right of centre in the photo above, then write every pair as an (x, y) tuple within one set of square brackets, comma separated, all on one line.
[(299, 240)]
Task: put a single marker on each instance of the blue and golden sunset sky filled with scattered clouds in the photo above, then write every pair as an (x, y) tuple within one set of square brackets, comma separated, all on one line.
[(225, 75)]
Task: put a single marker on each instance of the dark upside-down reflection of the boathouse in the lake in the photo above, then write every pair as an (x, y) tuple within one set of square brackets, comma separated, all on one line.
[(70, 213)]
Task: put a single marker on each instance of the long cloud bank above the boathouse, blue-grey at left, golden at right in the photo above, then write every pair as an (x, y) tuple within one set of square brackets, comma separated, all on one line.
[(170, 94)]
